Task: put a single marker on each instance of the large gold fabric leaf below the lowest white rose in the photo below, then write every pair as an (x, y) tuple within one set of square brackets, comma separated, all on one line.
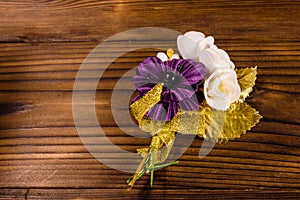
[(230, 124)]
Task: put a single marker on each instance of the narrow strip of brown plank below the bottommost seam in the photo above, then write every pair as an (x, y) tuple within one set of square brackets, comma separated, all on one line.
[(157, 194)]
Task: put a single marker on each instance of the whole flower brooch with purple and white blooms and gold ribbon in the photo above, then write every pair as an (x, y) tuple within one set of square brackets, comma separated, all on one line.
[(198, 92)]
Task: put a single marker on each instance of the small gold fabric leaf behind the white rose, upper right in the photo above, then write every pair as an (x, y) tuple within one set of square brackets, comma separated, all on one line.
[(246, 78)]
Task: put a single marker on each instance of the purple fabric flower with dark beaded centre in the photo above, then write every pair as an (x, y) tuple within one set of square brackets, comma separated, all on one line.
[(181, 78)]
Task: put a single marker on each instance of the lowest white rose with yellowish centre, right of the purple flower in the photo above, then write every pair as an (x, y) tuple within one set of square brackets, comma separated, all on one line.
[(221, 89)]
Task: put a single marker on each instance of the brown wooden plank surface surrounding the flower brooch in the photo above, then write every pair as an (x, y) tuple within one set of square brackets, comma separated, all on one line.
[(43, 43)]
